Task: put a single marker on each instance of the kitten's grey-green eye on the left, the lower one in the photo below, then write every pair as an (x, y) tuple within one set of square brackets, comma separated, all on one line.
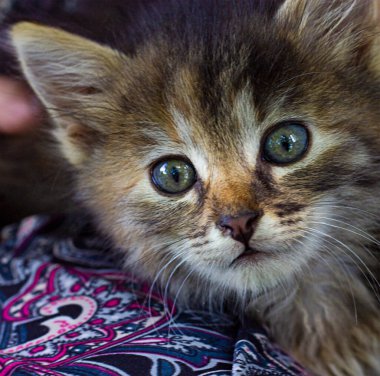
[(173, 176)]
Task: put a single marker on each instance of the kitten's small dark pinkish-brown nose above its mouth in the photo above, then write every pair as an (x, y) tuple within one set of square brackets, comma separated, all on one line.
[(240, 227)]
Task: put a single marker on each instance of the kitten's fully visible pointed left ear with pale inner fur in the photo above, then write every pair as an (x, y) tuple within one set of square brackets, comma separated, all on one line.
[(75, 80)]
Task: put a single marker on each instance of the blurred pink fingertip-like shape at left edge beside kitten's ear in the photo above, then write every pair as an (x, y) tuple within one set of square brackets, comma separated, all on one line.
[(19, 109)]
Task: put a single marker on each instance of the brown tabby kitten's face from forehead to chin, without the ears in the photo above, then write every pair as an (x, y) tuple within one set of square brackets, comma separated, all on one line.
[(271, 148)]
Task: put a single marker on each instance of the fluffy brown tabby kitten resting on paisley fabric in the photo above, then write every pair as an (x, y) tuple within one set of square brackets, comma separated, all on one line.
[(235, 154)]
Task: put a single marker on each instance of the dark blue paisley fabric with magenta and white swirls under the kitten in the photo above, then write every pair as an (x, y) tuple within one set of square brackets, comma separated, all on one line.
[(67, 310)]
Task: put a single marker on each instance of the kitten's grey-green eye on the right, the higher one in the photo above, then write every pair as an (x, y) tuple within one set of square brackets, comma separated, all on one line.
[(286, 144)]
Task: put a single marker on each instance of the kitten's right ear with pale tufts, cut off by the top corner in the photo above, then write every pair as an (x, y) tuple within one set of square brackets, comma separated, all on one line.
[(342, 28)]
